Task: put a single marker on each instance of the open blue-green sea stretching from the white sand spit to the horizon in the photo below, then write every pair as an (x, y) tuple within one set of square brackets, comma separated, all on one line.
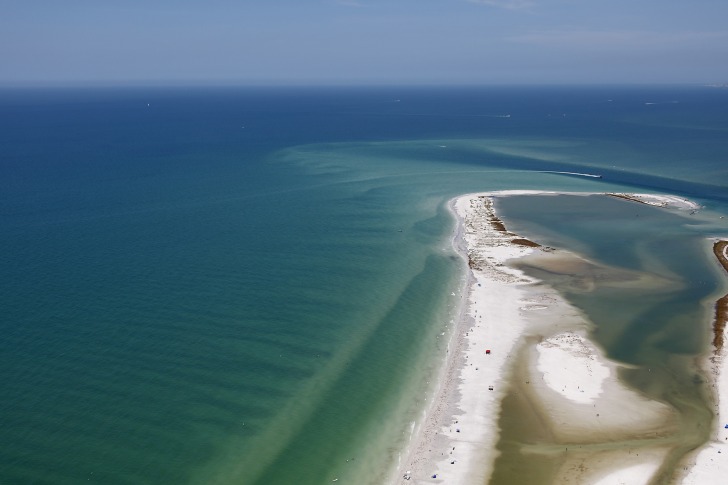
[(249, 285)]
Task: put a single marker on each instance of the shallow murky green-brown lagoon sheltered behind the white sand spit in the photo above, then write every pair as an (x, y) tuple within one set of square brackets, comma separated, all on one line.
[(647, 287)]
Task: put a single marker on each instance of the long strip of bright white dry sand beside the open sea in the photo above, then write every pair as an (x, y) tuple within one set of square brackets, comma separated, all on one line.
[(456, 441)]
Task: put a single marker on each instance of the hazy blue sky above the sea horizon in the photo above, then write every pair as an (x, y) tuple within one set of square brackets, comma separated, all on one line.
[(118, 42)]
